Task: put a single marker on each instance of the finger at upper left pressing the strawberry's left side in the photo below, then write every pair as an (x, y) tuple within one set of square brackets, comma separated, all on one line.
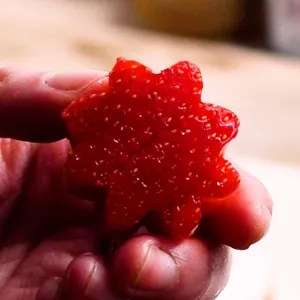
[(31, 102)]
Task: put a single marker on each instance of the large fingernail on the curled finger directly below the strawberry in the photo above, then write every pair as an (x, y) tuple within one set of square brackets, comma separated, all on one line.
[(158, 273)]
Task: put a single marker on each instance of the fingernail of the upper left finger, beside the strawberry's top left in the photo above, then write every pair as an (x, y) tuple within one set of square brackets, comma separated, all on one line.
[(73, 81)]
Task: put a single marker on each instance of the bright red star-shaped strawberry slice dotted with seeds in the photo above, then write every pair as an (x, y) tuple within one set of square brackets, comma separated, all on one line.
[(146, 145)]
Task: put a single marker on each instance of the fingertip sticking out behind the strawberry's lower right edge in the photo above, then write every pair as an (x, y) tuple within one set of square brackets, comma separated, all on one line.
[(243, 218)]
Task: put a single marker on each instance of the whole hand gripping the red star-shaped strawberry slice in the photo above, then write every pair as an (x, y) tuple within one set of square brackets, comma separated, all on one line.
[(48, 247)]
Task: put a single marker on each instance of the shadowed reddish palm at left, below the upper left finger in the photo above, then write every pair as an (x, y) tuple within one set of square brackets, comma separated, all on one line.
[(41, 228)]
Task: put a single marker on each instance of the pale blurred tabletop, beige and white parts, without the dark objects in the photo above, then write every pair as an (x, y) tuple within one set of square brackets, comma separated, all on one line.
[(263, 89)]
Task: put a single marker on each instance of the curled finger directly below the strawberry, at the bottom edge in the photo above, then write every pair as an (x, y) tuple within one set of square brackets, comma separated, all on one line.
[(148, 267)]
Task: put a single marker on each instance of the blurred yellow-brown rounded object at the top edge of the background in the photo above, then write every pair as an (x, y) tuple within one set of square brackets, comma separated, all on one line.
[(204, 18)]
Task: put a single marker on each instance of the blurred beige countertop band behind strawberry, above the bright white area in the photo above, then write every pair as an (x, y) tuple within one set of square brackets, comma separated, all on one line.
[(263, 89)]
